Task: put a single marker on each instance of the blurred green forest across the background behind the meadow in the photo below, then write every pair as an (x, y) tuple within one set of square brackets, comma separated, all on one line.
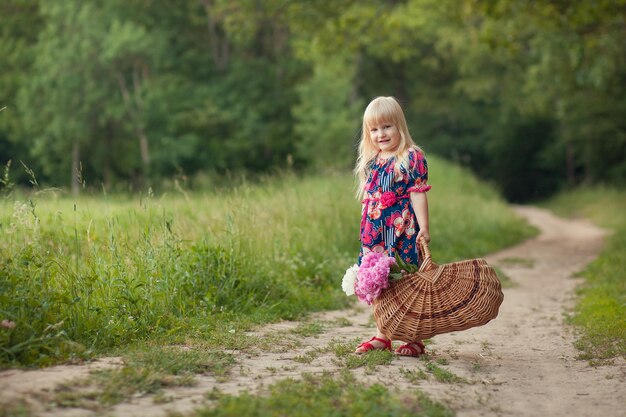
[(126, 94)]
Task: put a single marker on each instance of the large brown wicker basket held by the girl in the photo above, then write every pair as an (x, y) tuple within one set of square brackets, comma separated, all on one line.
[(438, 299)]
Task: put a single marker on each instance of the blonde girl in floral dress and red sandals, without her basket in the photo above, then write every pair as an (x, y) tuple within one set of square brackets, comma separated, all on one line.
[(392, 175)]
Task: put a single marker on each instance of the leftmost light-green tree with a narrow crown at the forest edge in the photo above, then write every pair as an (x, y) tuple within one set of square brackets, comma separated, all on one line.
[(61, 103)]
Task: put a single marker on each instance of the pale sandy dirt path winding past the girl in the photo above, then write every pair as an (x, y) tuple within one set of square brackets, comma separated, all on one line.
[(522, 364)]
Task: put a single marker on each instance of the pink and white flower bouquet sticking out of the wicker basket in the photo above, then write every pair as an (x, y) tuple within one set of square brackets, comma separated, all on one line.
[(369, 279)]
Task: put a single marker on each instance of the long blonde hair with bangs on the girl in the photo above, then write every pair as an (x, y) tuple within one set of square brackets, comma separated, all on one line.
[(381, 110)]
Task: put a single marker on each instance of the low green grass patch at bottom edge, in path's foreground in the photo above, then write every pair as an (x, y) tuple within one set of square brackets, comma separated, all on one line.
[(326, 396)]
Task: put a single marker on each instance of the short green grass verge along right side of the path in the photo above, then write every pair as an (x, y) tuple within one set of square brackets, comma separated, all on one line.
[(601, 308)]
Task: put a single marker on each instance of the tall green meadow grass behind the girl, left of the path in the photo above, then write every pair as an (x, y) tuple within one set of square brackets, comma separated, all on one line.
[(87, 274)]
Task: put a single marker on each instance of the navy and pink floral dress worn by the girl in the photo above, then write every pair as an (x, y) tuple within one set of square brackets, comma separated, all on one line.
[(389, 223)]
